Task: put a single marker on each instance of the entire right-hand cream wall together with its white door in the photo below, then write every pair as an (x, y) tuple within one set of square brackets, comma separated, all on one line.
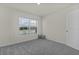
[(56, 24)]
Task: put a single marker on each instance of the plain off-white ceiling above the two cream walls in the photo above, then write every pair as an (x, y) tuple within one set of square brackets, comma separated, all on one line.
[(41, 10)]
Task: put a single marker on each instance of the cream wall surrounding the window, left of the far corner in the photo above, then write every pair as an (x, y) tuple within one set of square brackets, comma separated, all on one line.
[(9, 33)]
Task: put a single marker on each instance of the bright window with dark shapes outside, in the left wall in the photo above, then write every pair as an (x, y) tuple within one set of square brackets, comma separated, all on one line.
[(27, 25)]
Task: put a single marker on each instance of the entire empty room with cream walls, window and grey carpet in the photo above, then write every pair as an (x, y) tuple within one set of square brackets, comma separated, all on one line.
[(39, 29)]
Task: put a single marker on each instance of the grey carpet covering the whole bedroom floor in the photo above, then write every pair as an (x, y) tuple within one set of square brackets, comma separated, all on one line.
[(38, 47)]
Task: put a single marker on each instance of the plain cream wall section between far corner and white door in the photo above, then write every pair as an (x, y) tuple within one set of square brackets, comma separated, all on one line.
[(54, 26)]
